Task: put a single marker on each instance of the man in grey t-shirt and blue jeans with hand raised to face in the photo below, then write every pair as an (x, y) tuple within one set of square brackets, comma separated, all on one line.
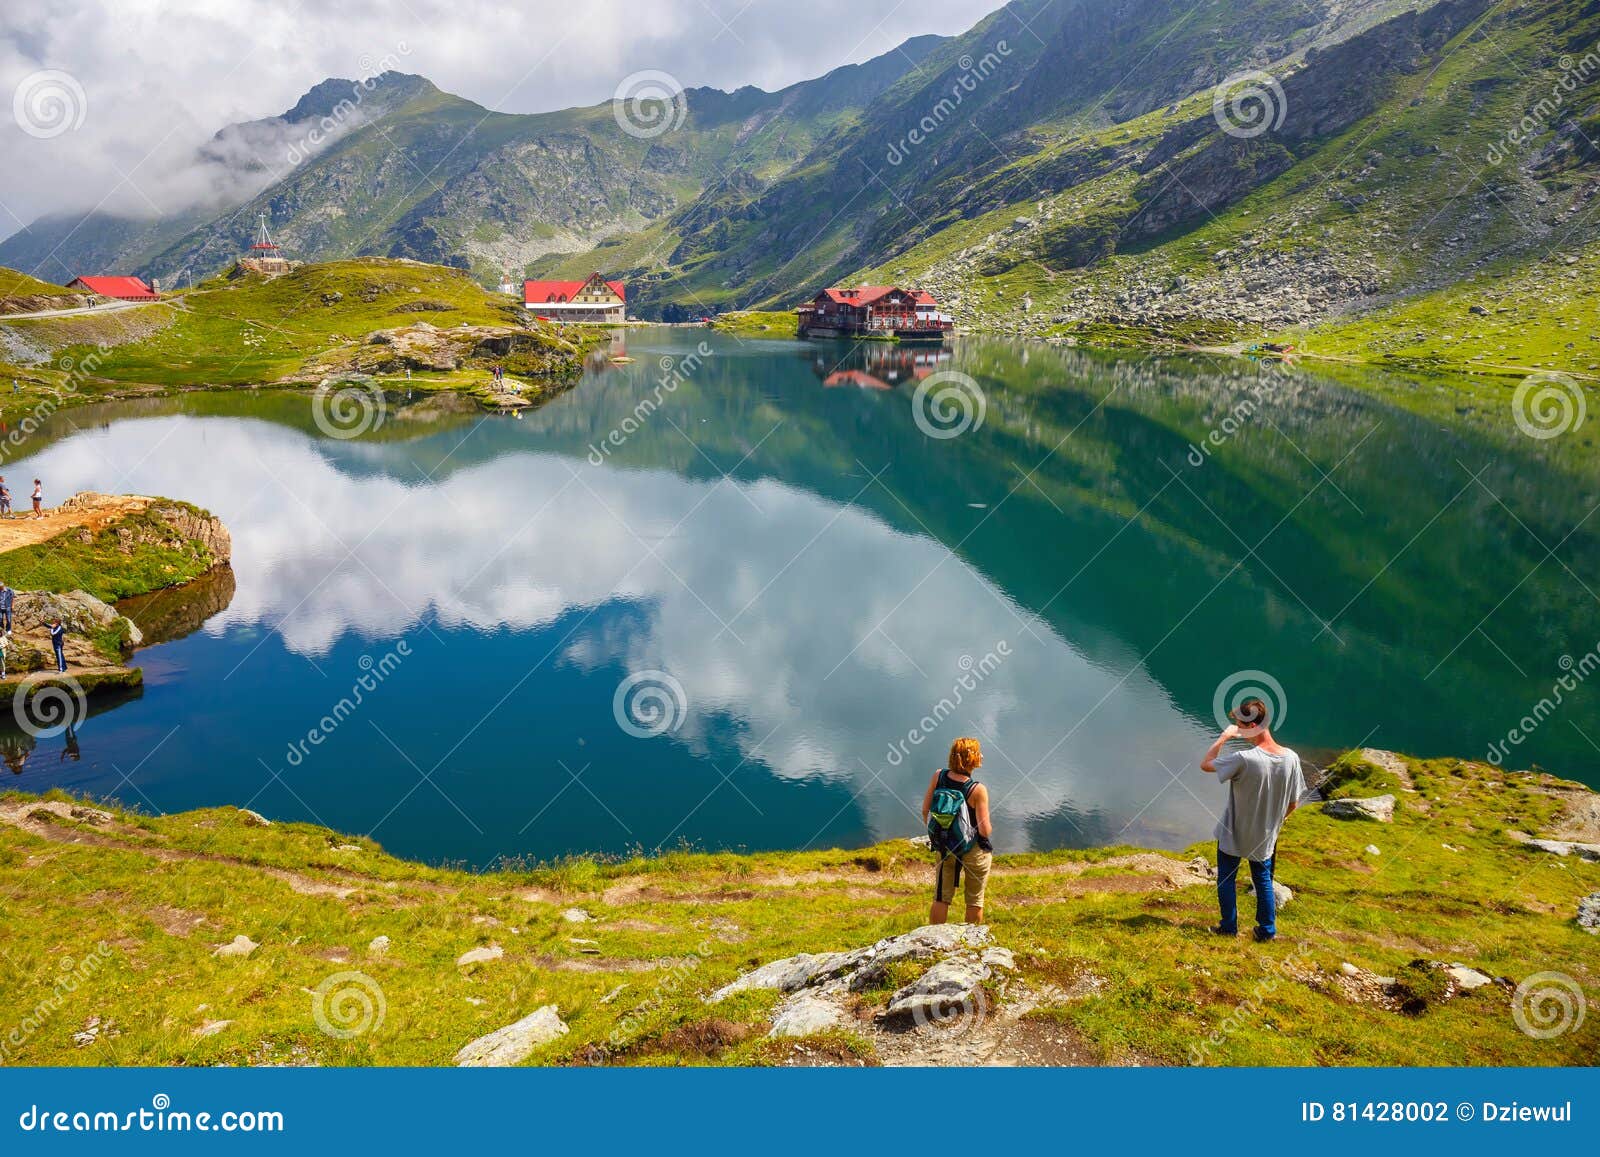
[(1265, 785)]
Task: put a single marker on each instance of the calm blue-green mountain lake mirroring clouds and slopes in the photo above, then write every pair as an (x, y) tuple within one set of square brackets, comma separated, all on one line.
[(814, 572)]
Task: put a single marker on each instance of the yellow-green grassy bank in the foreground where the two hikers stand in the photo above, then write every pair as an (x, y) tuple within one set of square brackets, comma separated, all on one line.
[(1113, 945)]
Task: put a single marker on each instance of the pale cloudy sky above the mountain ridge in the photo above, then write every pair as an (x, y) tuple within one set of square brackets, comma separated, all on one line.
[(118, 94)]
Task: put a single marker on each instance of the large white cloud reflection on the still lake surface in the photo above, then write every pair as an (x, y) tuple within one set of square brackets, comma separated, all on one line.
[(839, 639)]
